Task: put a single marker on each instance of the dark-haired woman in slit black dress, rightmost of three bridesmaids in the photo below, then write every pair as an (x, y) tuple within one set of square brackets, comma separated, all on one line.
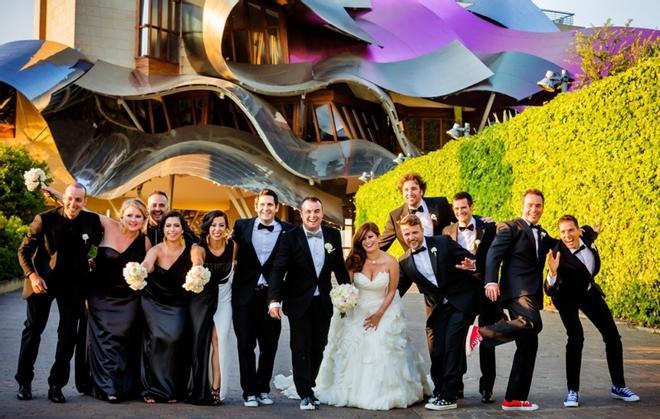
[(215, 252)]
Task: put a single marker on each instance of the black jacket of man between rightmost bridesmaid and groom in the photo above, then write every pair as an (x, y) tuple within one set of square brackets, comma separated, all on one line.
[(248, 268)]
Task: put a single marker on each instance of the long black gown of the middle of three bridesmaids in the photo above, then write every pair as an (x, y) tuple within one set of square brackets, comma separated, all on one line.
[(165, 359)]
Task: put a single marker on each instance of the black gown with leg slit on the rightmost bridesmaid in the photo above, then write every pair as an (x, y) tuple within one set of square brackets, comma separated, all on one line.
[(202, 309)]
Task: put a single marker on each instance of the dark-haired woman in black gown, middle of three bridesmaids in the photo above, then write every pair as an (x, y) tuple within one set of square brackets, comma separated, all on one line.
[(165, 357)]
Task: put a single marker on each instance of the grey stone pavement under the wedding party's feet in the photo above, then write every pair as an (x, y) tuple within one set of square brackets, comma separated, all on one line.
[(642, 367)]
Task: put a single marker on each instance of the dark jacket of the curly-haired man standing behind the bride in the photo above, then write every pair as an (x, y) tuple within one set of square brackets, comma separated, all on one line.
[(438, 207)]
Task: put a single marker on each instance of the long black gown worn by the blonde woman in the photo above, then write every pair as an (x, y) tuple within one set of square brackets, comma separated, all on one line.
[(114, 323)]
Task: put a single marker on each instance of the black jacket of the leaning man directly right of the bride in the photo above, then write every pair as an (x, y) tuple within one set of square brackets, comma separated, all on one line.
[(455, 285)]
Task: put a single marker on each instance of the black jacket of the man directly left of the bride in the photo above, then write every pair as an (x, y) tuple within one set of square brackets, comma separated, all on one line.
[(295, 260)]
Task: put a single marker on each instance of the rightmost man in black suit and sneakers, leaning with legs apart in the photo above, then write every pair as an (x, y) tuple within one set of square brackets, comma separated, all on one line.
[(572, 266)]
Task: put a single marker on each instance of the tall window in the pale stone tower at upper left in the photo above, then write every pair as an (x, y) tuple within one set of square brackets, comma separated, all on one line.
[(159, 29)]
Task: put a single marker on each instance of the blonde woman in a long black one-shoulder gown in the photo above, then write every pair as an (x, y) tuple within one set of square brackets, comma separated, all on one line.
[(113, 343)]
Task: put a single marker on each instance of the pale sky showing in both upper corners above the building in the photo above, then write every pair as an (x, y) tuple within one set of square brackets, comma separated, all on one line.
[(18, 22)]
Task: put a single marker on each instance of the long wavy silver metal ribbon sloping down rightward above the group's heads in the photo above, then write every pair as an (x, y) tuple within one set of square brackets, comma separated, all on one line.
[(312, 161)]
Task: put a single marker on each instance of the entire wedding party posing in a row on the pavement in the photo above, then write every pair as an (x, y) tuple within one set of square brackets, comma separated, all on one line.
[(150, 315)]
